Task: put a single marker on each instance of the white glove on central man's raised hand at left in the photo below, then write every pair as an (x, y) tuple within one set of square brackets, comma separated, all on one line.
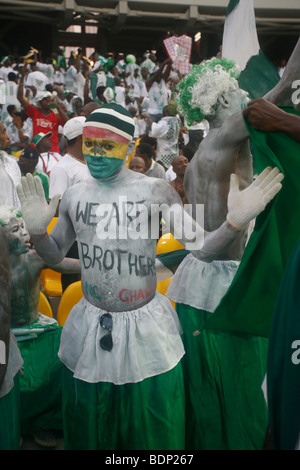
[(37, 214)]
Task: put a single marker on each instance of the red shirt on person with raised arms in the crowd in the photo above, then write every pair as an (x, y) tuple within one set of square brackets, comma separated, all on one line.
[(45, 123)]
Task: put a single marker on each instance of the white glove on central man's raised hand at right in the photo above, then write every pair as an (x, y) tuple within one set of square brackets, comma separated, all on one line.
[(243, 206)]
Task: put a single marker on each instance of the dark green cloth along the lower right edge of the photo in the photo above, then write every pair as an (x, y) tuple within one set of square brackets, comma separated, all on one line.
[(283, 377)]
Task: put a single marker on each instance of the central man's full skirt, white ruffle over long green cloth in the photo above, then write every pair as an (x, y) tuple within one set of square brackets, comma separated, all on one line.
[(138, 383)]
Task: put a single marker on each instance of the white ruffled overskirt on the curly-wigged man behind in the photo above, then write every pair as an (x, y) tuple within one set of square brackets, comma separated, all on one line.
[(201, 285)]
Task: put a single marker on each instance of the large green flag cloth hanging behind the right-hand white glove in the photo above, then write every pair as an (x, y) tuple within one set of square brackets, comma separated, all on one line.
[(249, 303)]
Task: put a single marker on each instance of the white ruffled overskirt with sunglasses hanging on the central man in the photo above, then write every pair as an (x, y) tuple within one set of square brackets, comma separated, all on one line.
[(146, 342)]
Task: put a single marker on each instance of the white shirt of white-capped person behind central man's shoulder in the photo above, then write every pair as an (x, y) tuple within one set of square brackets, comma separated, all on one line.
[(67, 173)]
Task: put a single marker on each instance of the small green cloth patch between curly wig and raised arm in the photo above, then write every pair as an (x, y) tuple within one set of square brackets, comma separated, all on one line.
[(259, 77)]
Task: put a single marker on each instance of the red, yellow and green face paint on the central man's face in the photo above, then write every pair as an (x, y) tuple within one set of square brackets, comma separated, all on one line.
[(104, 152)]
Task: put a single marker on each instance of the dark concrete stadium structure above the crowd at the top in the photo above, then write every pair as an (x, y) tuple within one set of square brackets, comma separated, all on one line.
[(135, 25)]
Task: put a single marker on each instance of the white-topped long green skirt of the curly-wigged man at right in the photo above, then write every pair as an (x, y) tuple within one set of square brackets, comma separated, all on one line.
[(223, 372)]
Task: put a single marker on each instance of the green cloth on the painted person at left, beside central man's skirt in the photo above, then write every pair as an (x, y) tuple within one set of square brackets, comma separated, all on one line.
[(40, 387)]
